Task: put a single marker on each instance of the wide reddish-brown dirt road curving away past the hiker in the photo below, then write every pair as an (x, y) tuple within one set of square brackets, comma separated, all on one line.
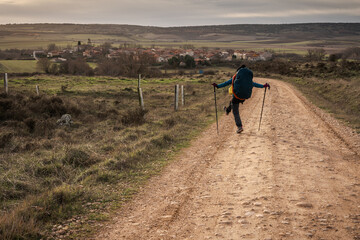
[(298, 178)]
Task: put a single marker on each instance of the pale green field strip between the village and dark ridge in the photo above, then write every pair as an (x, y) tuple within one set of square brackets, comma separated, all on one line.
[(32, 42)]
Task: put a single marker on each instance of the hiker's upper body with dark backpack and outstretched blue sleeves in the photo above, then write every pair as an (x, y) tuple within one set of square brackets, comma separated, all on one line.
[(243, 84)]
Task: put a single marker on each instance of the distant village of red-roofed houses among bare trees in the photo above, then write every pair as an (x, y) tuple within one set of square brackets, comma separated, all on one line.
[(162, 55)]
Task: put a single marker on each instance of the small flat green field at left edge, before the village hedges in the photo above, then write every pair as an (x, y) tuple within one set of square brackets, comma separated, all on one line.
[(18, 66)]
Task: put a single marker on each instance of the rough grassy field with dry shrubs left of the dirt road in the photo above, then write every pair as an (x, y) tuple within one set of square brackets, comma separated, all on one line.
[(67, 180)]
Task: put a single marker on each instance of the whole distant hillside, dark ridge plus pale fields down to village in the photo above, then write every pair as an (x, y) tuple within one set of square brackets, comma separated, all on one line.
[(344, 34)]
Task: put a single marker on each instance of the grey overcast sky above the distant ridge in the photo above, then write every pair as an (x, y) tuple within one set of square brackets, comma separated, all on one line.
[(178, 13)]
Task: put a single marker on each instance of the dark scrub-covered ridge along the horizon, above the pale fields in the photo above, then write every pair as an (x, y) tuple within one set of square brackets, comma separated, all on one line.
[(306, 30)]
